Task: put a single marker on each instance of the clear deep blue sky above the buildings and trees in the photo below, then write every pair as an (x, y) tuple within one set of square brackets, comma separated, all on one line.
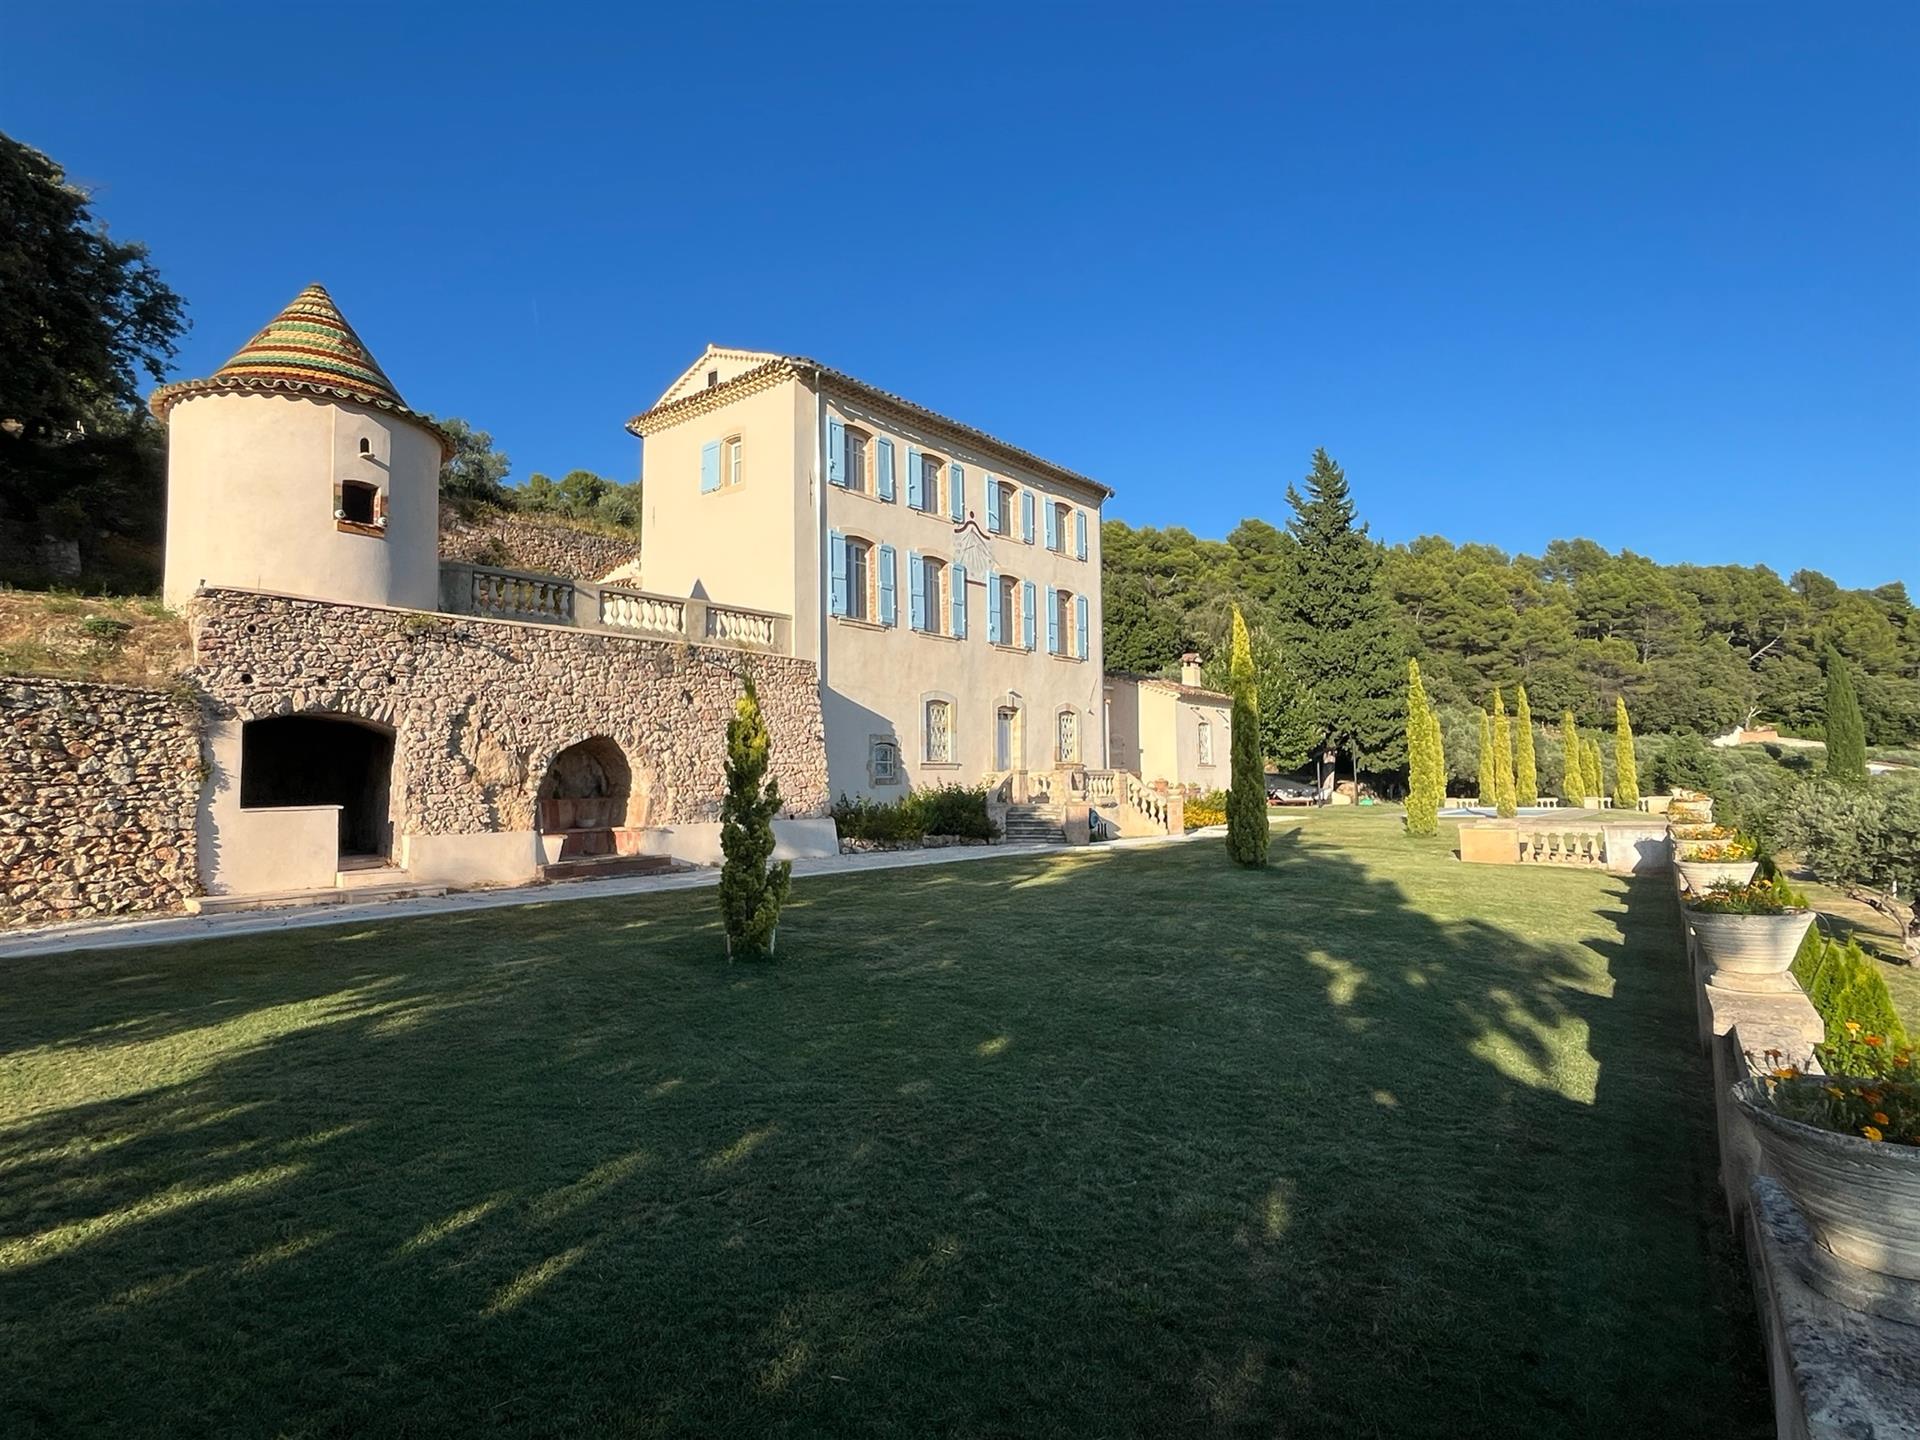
[(1633, 272)]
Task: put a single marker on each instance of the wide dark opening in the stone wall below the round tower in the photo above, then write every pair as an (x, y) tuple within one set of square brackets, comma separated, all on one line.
[(324, 759)]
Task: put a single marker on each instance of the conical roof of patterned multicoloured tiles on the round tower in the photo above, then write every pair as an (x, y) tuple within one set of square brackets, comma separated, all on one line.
[(308, 348)]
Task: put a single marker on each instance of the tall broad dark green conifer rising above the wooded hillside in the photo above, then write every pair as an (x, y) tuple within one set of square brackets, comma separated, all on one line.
[(1337, 625)]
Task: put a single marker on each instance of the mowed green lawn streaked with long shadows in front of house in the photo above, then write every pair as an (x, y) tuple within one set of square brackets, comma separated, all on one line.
[(1099, 1145)]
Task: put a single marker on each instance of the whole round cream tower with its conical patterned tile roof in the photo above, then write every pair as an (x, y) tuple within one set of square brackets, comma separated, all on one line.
[(299, 469)]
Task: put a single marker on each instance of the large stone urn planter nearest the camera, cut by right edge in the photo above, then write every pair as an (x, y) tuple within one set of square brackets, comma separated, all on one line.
[(1861, 1199)]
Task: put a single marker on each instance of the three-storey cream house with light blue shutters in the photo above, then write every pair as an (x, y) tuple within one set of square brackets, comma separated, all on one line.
[(948, 585)]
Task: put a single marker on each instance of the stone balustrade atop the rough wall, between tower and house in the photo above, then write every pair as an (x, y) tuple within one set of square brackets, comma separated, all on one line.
[(588, 606)]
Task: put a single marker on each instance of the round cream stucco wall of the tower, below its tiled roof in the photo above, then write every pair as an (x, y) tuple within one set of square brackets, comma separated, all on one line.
[(251, 500)]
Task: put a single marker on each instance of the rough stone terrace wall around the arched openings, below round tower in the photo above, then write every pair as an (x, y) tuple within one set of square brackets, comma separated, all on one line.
[(481, 708)]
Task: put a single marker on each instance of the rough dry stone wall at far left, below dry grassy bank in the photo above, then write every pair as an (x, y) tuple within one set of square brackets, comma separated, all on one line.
[(97, 800)]
